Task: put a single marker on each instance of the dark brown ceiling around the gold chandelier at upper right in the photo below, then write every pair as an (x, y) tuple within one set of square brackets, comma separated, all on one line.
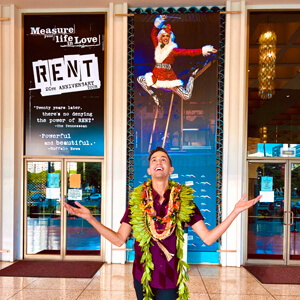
[(280, 114)]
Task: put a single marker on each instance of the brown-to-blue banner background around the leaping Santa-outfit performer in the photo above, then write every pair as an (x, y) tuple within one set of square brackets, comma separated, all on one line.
[(190, 138)]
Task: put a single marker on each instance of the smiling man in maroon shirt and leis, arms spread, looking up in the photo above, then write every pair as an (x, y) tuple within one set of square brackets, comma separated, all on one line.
[(157, 213)]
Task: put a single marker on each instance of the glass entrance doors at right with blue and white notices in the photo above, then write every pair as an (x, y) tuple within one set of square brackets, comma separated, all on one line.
[(273, 223)]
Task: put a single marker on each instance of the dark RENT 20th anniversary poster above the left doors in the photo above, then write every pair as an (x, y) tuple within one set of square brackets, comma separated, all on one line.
[(64, 84)]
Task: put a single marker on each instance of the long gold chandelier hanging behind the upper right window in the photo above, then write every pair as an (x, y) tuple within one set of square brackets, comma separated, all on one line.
[(267, 57)]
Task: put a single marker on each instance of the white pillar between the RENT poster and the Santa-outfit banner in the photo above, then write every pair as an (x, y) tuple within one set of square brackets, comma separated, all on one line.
[(119, 122)]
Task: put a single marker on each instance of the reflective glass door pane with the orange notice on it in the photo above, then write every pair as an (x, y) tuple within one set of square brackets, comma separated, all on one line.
[(84, 186)]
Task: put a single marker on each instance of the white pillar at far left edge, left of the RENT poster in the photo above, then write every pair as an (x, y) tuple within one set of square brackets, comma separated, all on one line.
[(11, 137)]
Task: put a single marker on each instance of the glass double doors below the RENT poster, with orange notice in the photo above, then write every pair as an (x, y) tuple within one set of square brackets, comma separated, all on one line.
[(50, 231)]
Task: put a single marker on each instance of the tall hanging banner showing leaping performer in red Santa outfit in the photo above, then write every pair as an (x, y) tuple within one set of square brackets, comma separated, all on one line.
[(176, 100)]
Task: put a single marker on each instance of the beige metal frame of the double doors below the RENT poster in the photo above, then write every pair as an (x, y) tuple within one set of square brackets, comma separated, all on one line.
[(63, 227)]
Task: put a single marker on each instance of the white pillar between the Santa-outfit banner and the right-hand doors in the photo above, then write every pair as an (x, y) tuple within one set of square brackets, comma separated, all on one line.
[(234, 128)]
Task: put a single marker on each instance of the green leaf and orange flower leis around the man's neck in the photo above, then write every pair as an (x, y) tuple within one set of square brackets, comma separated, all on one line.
[(143, 217)]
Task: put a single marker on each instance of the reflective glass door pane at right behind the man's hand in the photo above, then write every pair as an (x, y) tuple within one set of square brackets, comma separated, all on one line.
[(265, 219)]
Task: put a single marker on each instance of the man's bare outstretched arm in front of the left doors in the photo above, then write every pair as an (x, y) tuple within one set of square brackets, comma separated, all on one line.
[(116, 238)]
